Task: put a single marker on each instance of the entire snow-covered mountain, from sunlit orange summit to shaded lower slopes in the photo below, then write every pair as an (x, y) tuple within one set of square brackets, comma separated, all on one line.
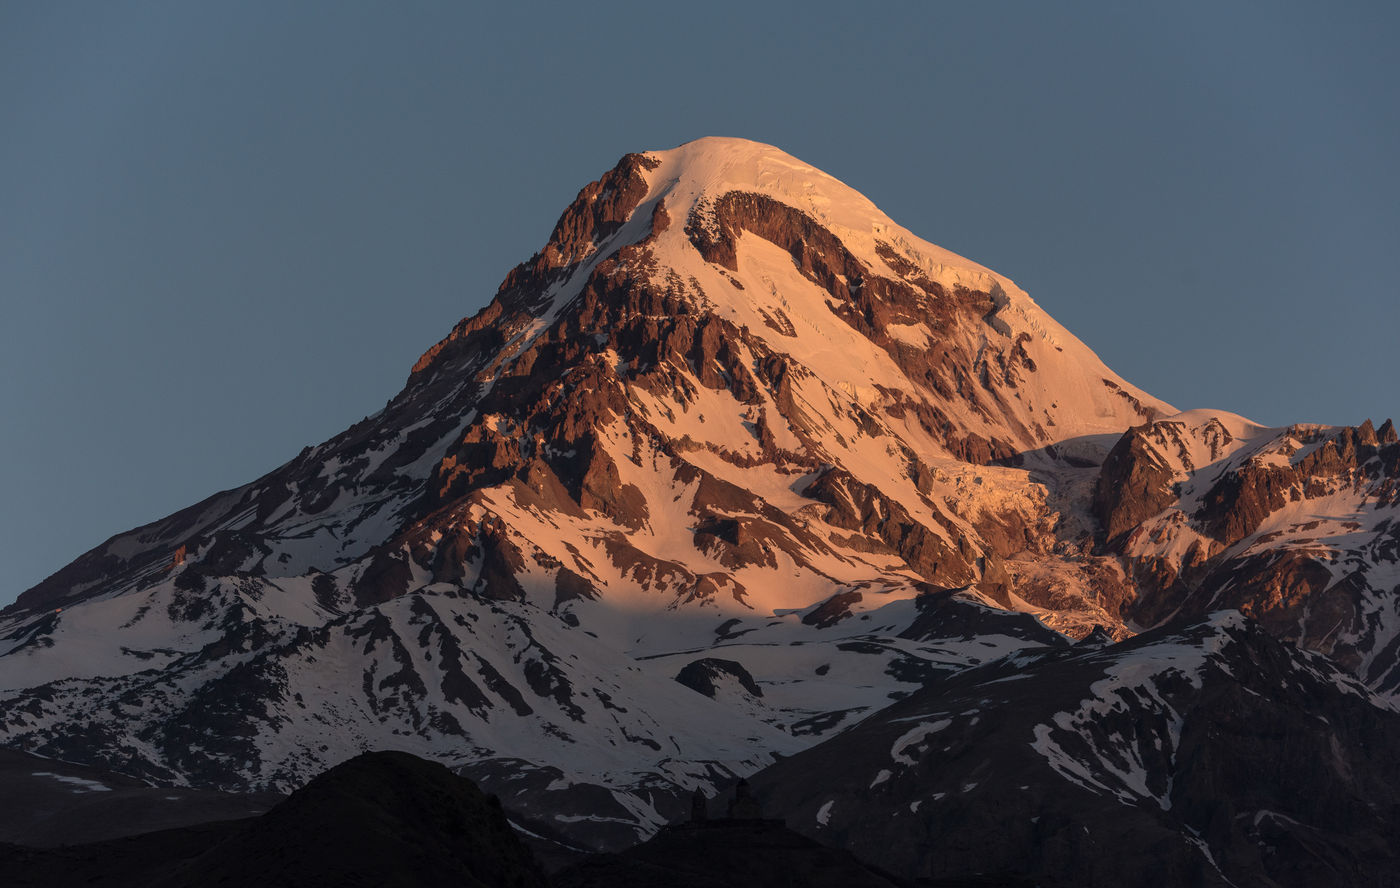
[(726, 467)]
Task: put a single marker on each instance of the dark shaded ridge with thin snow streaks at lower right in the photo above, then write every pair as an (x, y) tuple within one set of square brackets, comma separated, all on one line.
[(1198, 754)]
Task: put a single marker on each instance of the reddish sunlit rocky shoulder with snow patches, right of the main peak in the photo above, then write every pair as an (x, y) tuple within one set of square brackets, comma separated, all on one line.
[(1294, 527)]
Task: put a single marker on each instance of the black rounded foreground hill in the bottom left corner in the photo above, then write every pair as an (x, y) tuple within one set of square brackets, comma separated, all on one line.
[(383, 820)]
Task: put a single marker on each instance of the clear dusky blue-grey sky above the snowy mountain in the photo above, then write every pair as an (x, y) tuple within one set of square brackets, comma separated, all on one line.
[(229, 230)]
